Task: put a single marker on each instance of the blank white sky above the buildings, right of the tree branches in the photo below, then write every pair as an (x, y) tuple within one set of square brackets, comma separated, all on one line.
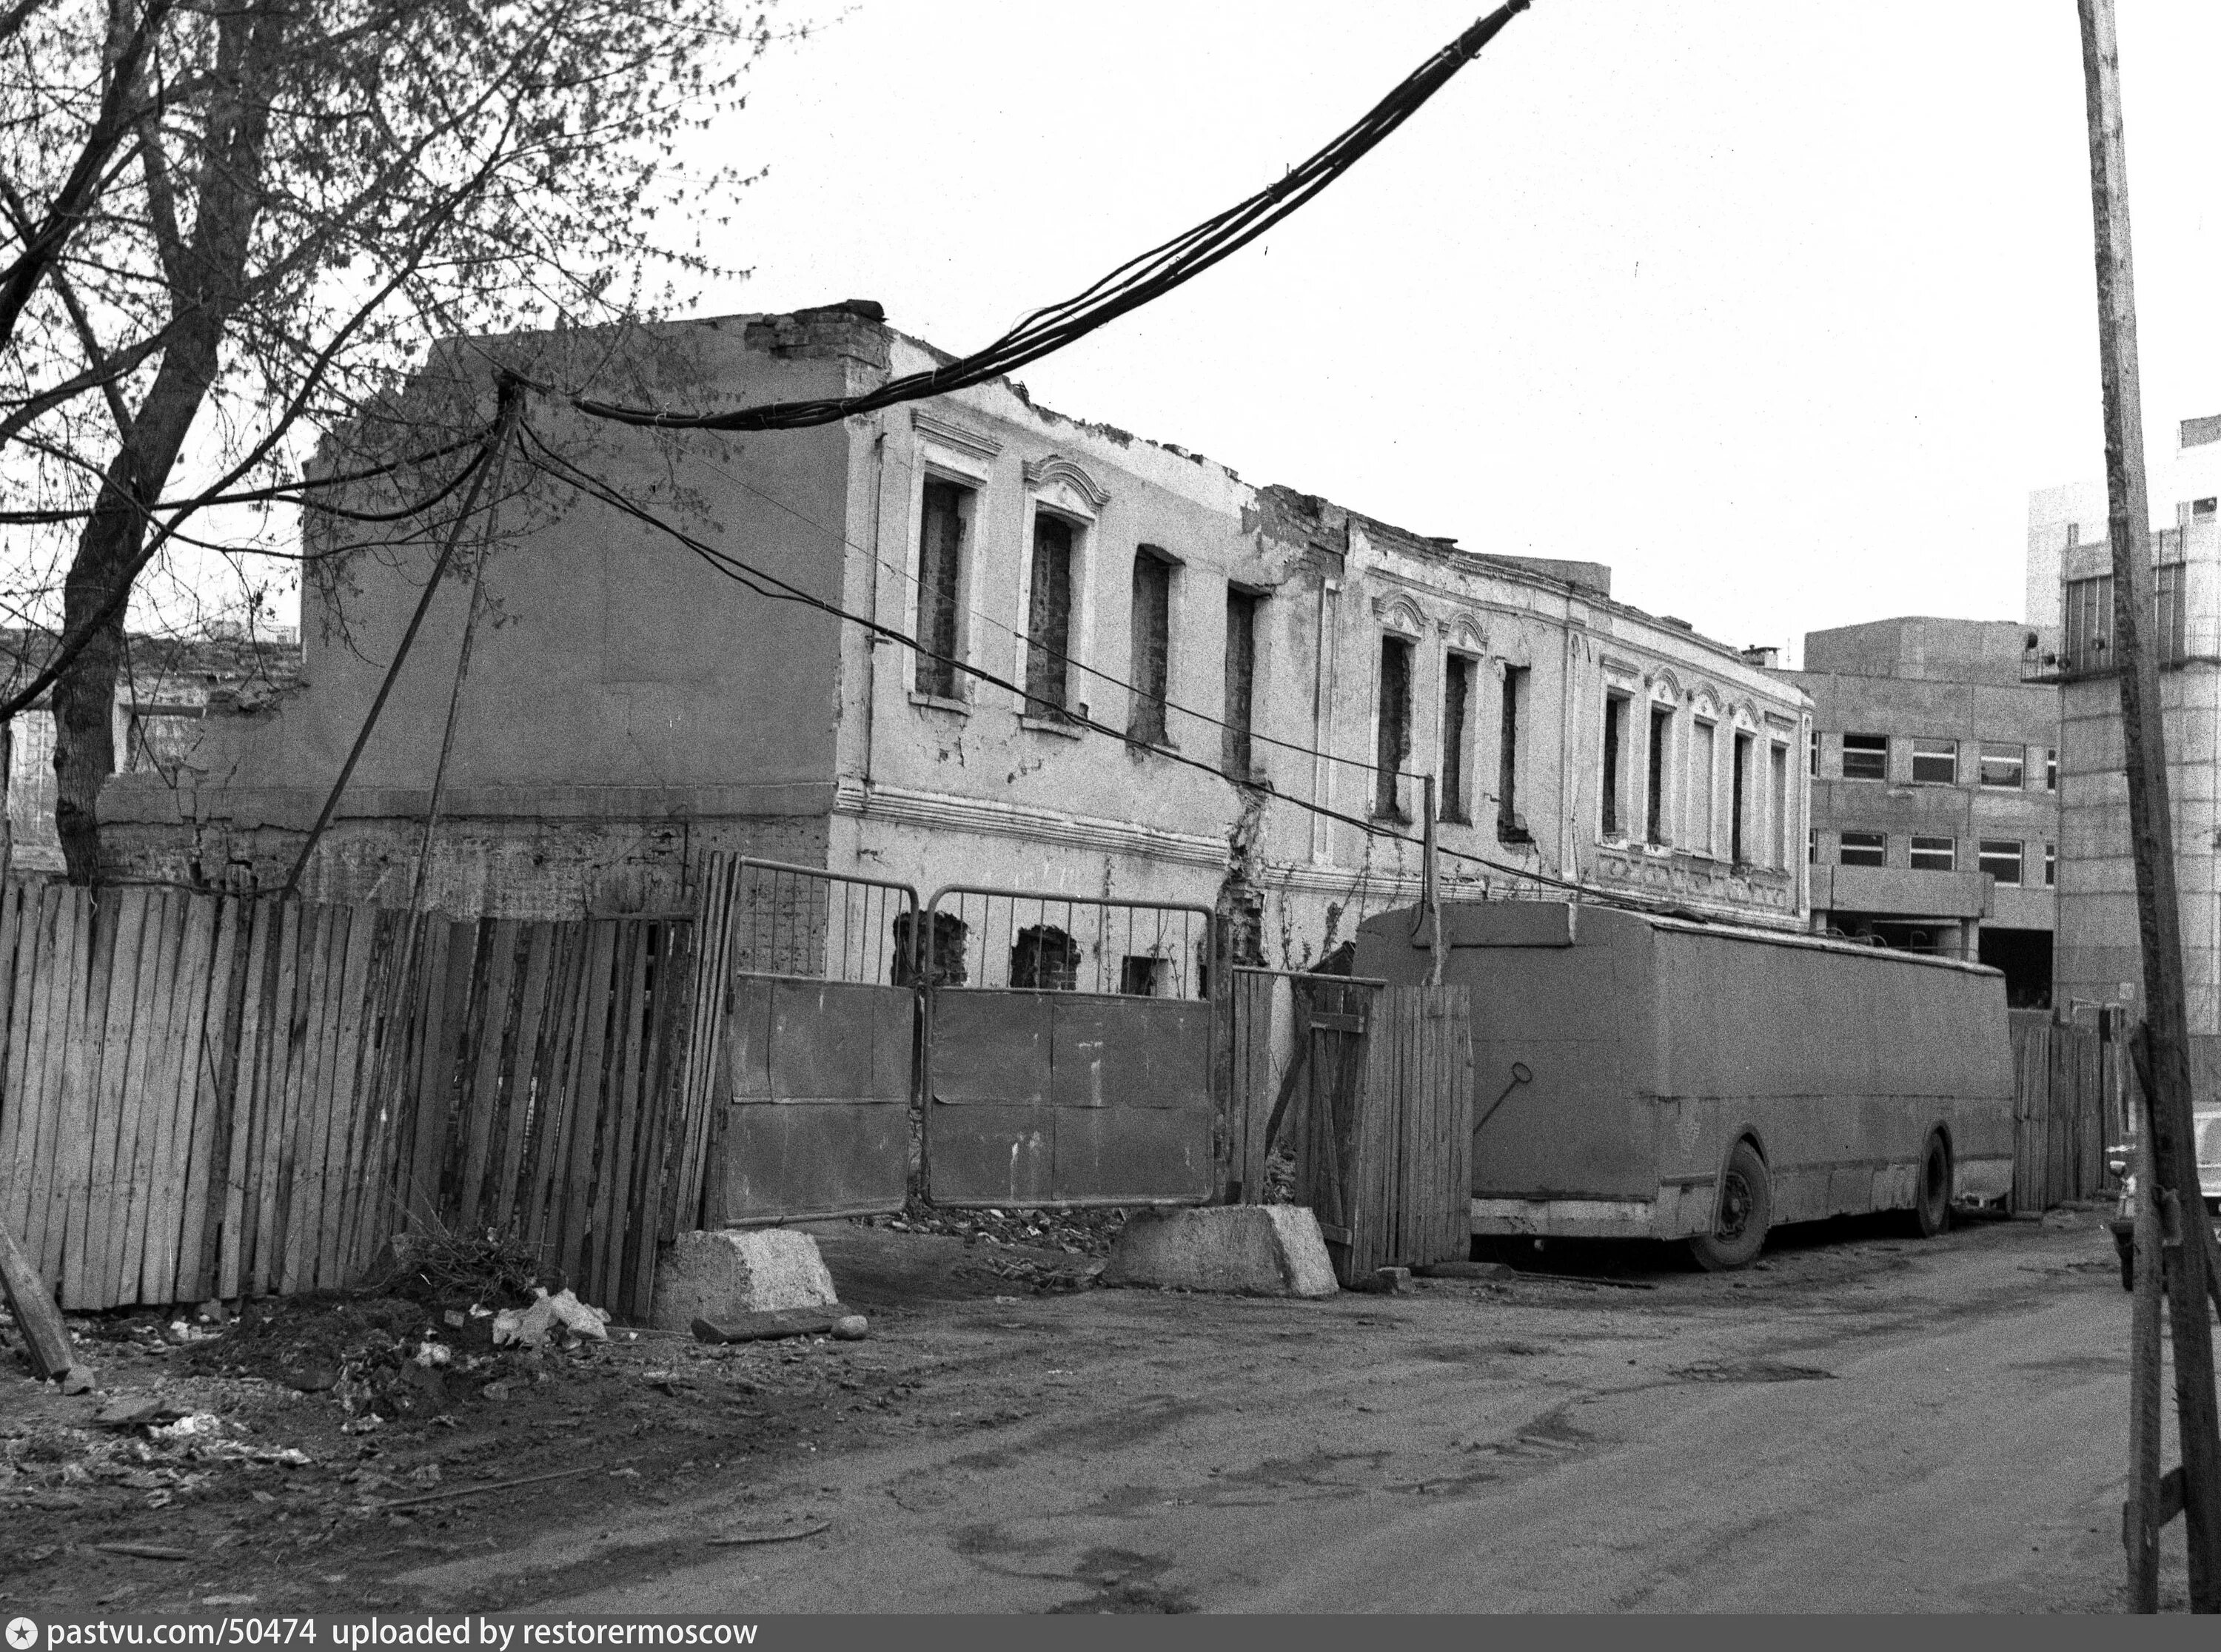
[(1778, 308)]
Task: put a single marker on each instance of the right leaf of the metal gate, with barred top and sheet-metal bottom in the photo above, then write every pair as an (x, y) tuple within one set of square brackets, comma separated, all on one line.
[(1069, 1051)]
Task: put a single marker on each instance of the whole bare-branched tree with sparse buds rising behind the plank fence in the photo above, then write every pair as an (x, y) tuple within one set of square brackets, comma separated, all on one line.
[(239, 225)]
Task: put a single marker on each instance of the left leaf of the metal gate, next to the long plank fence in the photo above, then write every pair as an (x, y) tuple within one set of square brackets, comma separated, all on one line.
[(816, 1045)]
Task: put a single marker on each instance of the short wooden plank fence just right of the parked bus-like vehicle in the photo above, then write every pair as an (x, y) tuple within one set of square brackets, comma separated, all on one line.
[(2064, 1082)]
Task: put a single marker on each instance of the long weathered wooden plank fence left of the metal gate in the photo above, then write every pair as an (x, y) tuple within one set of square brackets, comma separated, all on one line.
[(208, 1096)]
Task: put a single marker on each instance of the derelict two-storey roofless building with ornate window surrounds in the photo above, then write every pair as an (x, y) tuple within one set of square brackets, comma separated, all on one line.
[(1269, 667)]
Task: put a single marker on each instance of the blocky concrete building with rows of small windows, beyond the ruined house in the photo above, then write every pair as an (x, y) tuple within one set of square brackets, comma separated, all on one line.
[(1936, 809)]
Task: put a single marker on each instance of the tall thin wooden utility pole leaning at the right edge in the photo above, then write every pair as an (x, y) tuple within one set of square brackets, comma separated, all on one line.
[(2173, 1156)]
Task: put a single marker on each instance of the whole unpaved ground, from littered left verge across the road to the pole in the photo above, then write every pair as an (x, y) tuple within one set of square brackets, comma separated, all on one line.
[(1862, 1422)]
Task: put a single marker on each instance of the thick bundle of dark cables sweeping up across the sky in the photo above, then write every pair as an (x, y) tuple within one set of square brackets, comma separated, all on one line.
[(1132, 285)]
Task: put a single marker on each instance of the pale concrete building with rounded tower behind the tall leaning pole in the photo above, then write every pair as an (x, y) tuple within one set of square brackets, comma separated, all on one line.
[(2071, 585)]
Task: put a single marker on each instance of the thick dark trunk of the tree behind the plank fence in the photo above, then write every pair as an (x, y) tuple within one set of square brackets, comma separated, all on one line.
[(230, 199)]
